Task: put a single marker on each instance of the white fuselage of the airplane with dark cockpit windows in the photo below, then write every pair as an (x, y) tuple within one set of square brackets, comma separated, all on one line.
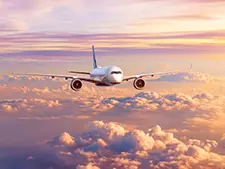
[(110, 75)]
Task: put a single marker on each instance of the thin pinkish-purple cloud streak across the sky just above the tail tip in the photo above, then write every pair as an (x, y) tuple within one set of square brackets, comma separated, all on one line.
[(35, 37)]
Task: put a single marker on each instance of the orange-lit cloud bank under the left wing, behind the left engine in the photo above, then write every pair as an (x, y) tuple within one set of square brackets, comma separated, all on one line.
[(34, 85)]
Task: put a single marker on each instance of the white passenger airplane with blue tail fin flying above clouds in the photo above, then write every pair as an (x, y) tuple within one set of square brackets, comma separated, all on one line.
[(102, 76)]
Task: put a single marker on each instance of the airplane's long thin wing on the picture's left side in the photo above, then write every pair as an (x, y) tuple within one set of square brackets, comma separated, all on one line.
[(61, 76)]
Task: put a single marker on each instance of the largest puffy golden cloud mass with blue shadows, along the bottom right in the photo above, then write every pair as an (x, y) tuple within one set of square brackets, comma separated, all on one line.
[(112, 146)]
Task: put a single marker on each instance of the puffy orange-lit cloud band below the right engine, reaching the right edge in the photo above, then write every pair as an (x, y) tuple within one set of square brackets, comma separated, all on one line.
[(153, 101)]
